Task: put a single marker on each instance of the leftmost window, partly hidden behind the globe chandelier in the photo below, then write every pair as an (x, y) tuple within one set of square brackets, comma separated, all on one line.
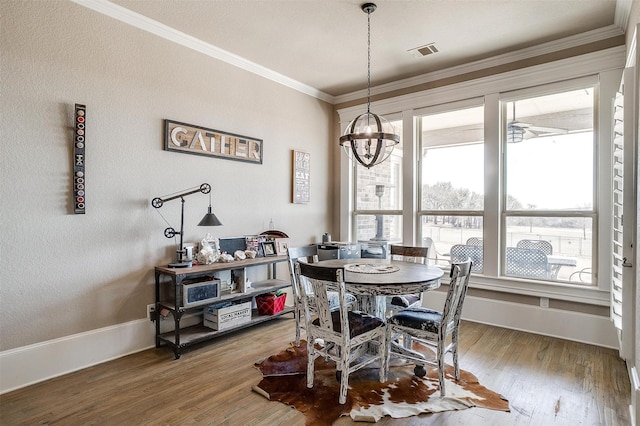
[(378, 197)]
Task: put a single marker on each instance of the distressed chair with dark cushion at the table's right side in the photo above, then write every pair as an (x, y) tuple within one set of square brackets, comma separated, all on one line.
[(437, 330)]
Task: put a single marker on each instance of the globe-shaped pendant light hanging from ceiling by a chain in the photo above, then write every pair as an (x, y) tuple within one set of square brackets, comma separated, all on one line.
[(369, 138)]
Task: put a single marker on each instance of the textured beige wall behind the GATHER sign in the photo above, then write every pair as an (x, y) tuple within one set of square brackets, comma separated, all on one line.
[(63, 273)]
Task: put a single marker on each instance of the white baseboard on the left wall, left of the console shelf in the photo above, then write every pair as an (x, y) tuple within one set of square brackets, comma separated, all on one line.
[(35, 363)]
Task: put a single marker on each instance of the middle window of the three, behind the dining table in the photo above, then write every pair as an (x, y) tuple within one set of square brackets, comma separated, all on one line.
[(451, 179)]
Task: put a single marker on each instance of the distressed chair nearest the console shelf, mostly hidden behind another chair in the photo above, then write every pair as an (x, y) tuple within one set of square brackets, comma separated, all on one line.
[(307, 254)]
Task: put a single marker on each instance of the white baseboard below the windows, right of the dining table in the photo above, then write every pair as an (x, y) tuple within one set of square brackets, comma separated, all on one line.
[(575, 326)]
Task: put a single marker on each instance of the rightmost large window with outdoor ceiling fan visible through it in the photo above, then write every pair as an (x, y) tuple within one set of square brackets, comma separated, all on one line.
[(549, 185)]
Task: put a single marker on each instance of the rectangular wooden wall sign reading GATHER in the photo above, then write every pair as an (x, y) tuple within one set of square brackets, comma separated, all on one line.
[(191, 139)]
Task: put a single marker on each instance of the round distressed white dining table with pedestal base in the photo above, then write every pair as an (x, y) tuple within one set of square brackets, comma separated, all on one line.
[(371, 280)]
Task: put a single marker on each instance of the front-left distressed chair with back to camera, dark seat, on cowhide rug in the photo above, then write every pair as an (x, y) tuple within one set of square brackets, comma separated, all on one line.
[(346, 334)]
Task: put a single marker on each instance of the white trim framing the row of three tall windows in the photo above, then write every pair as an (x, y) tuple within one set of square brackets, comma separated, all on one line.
[(603, 65)]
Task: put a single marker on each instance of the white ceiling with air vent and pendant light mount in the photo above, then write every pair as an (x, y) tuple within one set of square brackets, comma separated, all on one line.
[(322, 44)]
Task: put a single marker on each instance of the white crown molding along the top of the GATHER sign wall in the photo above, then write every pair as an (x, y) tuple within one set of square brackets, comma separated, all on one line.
[(161, 30)]
